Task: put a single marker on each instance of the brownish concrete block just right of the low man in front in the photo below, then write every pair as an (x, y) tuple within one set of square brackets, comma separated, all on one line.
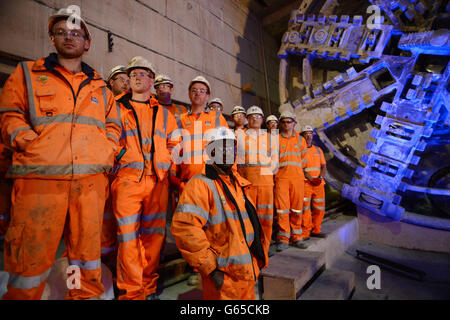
[(288, 272)]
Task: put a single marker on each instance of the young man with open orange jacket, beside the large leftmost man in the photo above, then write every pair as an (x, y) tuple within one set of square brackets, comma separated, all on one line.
[(140, 190)]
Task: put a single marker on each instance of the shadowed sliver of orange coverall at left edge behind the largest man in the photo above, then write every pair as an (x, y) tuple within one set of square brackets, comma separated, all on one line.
[(5, 187)]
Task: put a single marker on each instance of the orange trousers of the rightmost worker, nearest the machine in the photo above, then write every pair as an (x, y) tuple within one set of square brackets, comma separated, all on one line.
[(314, 199)]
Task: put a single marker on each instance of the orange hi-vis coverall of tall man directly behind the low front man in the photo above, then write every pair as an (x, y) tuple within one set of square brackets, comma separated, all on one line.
[(193, 129)]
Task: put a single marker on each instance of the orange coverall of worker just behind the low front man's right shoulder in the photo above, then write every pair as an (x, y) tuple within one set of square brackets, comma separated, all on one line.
[(260, 154)]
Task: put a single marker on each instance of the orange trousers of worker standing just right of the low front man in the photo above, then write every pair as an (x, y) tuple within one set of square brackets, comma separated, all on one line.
[(263, 198)]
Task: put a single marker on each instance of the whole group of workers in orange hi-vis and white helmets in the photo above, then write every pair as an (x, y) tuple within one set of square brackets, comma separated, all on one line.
[(107, 165)]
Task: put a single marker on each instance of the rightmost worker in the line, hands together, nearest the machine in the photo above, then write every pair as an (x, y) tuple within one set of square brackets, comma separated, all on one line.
[(314, 197)]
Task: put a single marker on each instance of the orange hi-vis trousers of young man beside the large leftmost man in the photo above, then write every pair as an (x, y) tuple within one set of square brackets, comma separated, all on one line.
[(140, 210)]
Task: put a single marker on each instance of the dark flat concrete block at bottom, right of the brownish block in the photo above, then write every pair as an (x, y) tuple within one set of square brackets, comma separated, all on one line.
[(332, 284)]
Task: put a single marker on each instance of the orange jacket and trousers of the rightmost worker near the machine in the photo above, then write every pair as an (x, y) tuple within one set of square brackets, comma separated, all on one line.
[(314, 195)]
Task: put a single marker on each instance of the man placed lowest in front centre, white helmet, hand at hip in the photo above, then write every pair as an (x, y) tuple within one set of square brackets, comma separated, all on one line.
[(218, 233)]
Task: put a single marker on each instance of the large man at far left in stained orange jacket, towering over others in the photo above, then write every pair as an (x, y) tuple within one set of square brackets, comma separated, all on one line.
[(61, 121)]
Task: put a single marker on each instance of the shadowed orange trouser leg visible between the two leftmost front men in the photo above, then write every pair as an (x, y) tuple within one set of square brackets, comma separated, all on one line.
[(109, 227)]
